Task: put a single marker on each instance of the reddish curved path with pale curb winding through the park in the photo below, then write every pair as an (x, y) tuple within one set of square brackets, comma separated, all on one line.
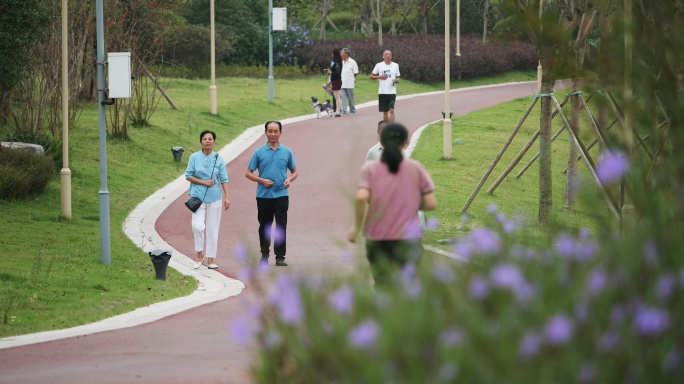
[(195, 345)]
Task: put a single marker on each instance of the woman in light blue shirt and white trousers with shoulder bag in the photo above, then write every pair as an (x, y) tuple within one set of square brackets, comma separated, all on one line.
[(208, 179)]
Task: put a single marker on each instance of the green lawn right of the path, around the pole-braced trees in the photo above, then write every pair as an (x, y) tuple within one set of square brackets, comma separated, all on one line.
[(482, 135)]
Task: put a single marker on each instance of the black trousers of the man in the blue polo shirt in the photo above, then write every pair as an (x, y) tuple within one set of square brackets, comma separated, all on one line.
[(268, 209)]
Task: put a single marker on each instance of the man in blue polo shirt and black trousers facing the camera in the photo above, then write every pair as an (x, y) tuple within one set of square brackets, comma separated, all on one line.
[(272, 160)]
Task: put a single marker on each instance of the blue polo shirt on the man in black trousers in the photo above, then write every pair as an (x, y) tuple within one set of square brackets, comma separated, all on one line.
[(273, 165)]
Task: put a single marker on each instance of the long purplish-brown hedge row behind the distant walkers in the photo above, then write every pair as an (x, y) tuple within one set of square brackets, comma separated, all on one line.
[(422, 58)]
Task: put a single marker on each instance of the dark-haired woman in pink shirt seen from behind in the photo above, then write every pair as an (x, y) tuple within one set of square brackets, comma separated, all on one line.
[(392, 190)]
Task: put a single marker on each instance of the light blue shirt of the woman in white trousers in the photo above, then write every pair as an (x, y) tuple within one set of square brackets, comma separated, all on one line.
[(202, 167)]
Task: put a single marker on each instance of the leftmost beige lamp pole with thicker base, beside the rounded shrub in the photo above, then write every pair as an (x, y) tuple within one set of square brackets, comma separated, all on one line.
[(65, 172)]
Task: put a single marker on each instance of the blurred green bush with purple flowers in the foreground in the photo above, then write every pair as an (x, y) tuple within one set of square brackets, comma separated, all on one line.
[(511, 313)]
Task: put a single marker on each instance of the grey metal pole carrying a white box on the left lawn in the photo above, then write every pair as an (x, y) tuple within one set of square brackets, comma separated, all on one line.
[(105, 249)]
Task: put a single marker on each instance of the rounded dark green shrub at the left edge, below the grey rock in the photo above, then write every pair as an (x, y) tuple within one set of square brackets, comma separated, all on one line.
[(23, 173)]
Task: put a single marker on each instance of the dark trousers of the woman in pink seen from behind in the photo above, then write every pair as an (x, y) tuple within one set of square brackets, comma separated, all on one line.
[(387, 257)]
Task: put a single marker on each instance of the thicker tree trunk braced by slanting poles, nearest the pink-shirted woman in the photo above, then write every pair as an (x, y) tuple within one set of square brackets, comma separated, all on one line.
[(545, 134)]
